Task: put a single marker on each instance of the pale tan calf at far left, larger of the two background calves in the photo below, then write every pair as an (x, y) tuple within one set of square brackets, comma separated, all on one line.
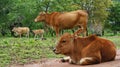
[(21, 30)]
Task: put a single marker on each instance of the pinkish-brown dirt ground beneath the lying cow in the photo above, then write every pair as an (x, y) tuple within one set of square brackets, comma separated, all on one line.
[(56, 63)]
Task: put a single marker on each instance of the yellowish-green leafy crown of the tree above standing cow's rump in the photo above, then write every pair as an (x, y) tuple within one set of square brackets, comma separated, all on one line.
[(96, 8)]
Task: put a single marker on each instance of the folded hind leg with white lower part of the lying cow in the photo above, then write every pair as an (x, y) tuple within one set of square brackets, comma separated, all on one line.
[(91, 56)]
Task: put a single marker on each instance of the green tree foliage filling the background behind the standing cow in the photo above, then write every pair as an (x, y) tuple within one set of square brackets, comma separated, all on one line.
[(25, 11)]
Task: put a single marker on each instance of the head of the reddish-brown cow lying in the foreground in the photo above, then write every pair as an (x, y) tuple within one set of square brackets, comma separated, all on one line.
[(65, 44)]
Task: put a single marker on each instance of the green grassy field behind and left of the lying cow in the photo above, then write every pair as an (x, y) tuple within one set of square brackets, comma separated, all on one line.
[(21, 51)]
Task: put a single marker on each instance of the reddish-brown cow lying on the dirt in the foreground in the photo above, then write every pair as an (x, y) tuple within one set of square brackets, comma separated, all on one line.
[(85, 51)]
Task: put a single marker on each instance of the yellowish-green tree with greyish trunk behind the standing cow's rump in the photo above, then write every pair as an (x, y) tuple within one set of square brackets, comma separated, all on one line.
[(98, 13)]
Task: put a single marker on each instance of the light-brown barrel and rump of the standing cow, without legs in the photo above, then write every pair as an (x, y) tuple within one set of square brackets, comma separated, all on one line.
[(71, 19)]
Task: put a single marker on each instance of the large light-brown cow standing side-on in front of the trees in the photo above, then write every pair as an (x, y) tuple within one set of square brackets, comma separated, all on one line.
[(67, 20)]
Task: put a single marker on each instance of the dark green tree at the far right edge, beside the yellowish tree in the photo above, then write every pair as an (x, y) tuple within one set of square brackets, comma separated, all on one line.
[(114, 17)]
